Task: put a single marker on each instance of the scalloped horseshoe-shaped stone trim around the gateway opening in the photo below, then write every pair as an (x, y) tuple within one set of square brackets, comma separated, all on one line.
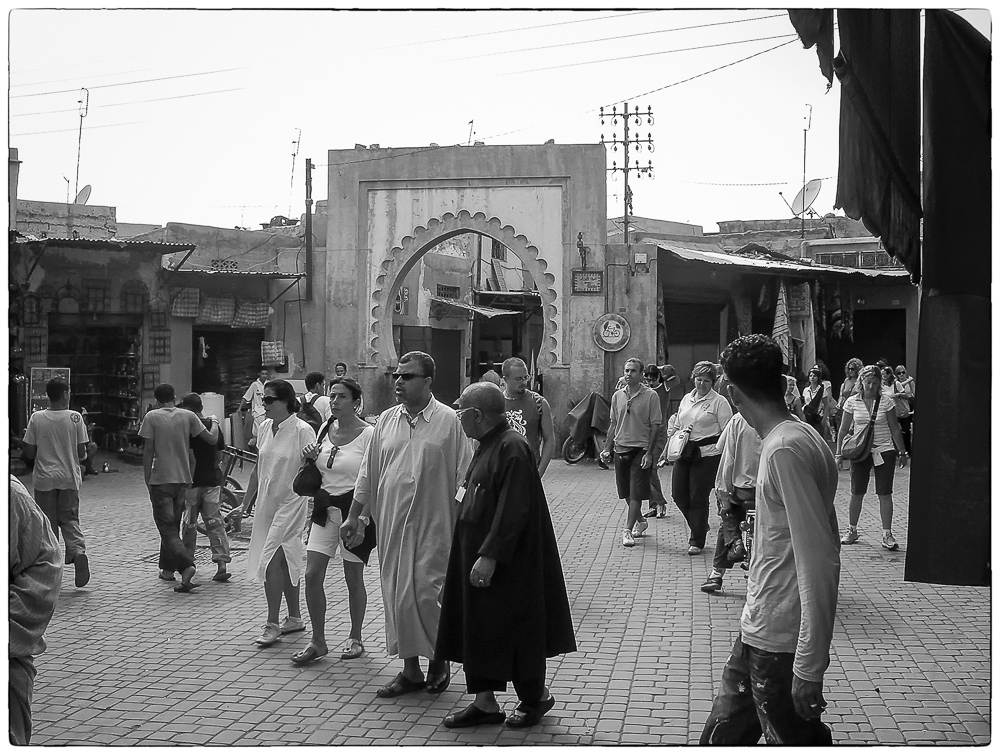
[(398, 262)]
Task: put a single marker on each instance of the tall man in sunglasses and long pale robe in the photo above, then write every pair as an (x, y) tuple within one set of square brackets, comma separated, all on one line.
[(408, 481)]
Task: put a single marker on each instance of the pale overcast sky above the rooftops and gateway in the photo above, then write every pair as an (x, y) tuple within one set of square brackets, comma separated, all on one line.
[(193, 114)]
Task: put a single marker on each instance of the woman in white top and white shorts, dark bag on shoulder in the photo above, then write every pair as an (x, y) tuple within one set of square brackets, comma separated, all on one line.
[(338, 452)]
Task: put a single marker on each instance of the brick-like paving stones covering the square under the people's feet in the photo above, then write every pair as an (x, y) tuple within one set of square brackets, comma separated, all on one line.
[(130, 662)]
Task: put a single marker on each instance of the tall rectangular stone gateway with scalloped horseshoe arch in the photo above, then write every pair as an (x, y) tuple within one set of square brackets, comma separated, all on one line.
[(387, 208)]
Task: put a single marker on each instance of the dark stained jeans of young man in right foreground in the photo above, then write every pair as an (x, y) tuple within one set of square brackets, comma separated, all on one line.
[(756, 698)]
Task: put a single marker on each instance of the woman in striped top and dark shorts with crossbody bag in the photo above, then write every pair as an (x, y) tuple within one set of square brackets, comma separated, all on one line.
[(886, 451)]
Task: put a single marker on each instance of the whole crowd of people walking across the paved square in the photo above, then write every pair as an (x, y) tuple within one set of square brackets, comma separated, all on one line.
[(453, 502)]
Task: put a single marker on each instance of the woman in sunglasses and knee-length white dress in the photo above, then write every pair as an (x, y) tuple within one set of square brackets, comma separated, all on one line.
[(277, 552)]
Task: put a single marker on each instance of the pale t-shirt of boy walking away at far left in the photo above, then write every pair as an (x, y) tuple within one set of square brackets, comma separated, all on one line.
[(57, 434)]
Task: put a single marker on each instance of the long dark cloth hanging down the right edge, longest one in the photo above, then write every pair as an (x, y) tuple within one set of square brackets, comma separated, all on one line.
[(949, 530)]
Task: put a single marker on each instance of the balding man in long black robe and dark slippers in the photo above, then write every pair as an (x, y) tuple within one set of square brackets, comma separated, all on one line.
[(504, 608)]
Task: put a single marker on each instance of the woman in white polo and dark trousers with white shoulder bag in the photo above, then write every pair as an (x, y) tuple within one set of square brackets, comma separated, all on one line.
[(693, 478)]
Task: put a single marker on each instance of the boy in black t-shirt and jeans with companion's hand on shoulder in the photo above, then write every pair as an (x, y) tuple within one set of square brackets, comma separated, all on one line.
[(205, 494)]
